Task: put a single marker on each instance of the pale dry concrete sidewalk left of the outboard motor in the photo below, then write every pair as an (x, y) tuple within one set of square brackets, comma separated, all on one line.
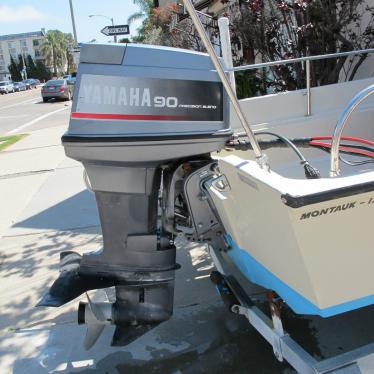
[(35, 198)]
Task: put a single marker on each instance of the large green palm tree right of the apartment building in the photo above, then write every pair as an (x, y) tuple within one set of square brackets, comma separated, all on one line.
[(54, 50)]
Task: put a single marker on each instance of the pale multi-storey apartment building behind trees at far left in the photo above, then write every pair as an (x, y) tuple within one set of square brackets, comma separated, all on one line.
[(19, 44)]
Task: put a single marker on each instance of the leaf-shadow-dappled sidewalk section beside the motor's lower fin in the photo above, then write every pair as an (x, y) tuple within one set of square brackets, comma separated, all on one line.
[(29, 269)]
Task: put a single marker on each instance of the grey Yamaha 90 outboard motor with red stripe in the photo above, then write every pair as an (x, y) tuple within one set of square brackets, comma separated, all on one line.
[(143, 119)]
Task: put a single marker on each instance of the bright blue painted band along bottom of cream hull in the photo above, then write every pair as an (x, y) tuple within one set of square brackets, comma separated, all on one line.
[(258, 274)]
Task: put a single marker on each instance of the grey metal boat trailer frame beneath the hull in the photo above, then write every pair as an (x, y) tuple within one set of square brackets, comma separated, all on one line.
[(284, 347)]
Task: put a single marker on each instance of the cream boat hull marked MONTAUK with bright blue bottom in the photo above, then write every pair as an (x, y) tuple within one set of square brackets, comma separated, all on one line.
[(314, 250)]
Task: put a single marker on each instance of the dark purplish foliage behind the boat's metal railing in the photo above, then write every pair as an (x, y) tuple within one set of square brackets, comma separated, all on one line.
[(278, 29)]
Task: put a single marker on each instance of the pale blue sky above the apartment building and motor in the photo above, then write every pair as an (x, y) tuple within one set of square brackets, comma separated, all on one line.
[(18, 16)]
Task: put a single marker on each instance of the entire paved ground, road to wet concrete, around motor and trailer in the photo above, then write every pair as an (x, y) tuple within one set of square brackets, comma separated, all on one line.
[(46, 209)]
